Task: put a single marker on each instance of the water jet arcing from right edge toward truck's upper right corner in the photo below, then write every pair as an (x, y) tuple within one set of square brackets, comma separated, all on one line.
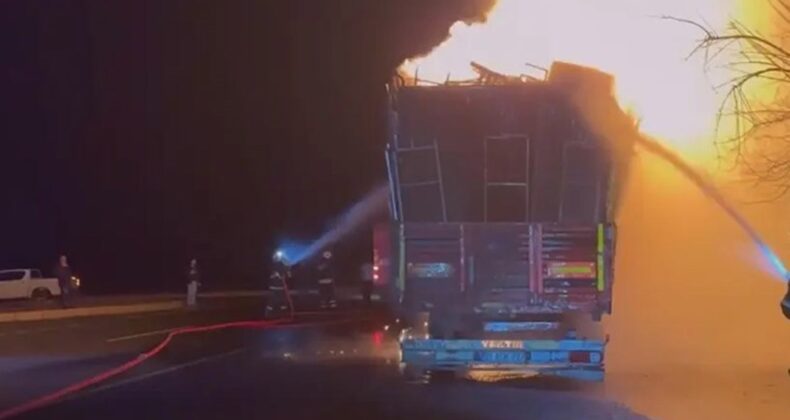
[(714, 194)]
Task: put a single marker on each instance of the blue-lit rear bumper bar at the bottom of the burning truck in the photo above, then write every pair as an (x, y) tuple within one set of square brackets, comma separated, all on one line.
[(569, 358)]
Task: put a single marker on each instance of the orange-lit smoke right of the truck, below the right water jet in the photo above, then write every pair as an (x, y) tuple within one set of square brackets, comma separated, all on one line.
[(693, 310)]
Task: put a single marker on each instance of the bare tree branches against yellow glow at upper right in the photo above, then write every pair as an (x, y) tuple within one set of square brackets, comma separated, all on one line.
[(760, 142)]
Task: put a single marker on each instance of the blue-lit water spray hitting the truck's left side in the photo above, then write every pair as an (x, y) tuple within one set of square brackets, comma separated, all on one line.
[(358, 215)]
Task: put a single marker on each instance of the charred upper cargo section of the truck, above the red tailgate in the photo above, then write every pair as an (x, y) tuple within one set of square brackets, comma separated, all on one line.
[(500, 153)]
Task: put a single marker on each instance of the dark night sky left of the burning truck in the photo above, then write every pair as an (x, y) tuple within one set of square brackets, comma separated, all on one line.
[(136, 133)]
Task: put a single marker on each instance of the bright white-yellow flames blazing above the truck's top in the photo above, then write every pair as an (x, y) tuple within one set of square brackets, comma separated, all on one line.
[(671, 92)]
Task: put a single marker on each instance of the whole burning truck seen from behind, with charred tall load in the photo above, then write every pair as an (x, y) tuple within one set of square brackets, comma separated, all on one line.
[(500, 245)]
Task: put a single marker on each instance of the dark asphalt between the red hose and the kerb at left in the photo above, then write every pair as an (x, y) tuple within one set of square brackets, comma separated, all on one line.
[(41, 356)]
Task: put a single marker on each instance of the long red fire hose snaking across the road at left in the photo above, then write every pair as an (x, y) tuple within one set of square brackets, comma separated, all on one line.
[(55, 396)]
